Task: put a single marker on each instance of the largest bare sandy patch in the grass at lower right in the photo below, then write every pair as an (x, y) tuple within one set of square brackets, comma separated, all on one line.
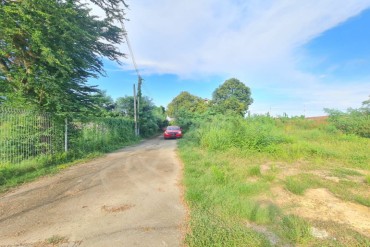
[(321, 205)]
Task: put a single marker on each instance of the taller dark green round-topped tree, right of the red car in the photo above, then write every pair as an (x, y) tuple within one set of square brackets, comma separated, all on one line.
[(232, 96)]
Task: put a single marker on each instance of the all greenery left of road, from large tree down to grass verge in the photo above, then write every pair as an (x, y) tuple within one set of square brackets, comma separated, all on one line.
[(49, 51)]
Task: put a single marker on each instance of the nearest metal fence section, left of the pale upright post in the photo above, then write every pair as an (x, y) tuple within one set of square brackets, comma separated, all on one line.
[(25, 134)]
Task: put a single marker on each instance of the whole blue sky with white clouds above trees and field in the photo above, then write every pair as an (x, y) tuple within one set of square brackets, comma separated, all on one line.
[(297, 57)]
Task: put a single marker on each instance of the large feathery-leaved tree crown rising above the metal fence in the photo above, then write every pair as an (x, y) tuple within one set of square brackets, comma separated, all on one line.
[(49, 49)]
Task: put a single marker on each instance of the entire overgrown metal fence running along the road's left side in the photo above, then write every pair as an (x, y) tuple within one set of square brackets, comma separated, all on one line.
[(27, 134)]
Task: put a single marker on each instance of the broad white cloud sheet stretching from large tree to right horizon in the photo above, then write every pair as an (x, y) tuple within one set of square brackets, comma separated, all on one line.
[(258, 41)]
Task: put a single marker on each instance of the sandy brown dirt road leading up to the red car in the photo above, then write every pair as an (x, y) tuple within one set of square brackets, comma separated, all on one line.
[(128, 198)]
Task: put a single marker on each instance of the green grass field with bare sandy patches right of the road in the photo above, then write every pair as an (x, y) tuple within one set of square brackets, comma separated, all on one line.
[(272, 182)]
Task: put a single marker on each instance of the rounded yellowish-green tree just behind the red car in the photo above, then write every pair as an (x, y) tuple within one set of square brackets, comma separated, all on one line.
[(186, 102)]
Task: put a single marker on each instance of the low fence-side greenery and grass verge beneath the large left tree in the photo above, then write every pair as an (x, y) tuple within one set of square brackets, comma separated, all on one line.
[(34, 151)]
